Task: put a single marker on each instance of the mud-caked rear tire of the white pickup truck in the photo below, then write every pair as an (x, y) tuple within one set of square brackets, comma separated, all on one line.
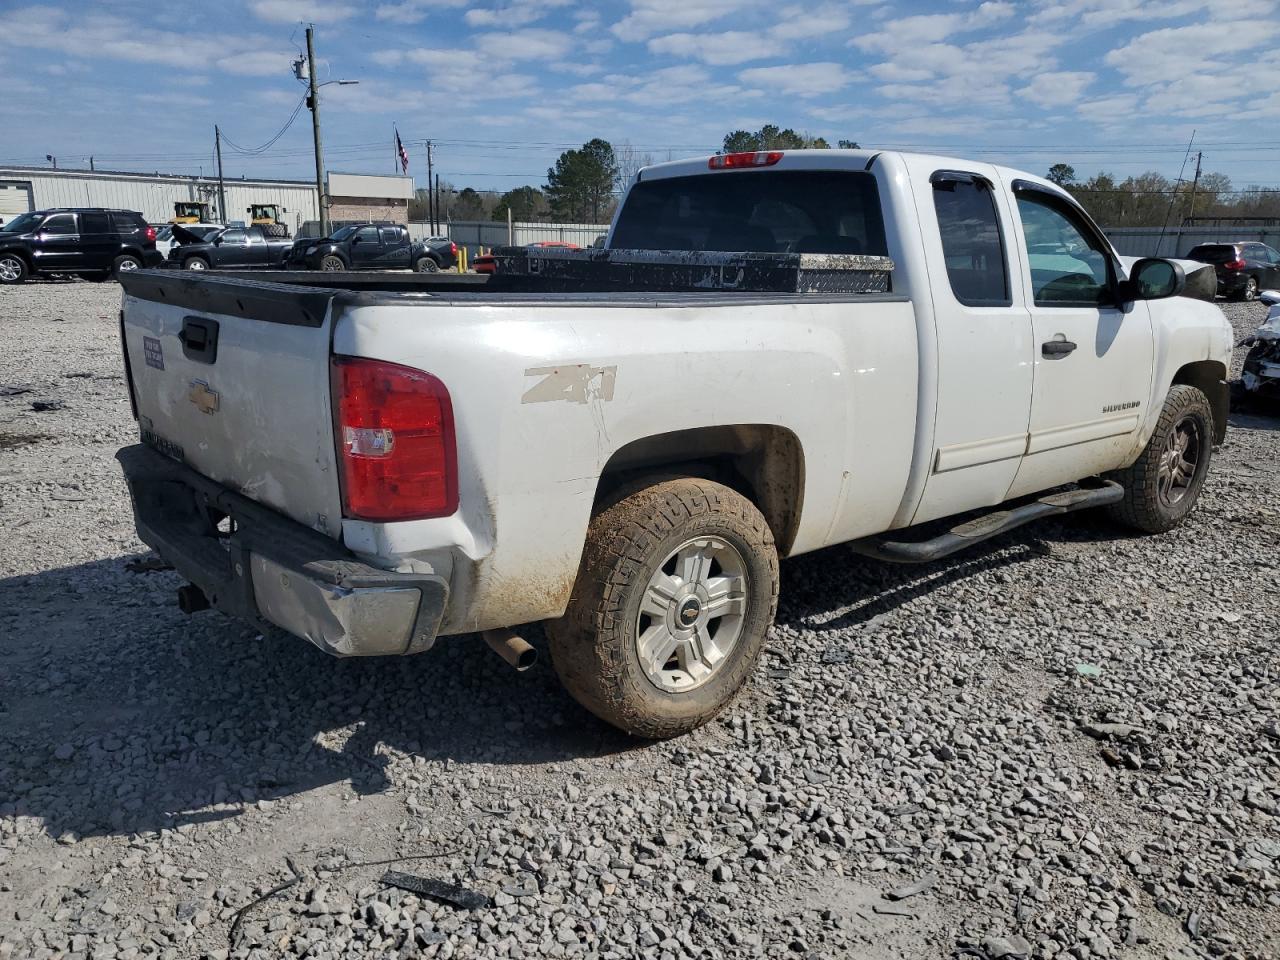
[(596, 644)]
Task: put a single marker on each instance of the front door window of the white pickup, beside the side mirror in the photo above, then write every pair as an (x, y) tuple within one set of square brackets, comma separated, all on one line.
[(1069, 266)]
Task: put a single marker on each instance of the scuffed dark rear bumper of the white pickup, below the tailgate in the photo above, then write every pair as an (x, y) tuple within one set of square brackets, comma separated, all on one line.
[(272, 570)]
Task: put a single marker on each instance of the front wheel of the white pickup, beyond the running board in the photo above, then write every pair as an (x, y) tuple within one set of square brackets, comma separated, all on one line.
[(1159, 491)]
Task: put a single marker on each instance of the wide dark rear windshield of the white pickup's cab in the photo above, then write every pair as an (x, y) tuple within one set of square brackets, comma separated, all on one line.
[(772, 212)]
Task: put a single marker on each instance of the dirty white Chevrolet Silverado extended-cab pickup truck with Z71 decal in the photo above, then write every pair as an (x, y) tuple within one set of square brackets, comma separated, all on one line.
[(376, 468)]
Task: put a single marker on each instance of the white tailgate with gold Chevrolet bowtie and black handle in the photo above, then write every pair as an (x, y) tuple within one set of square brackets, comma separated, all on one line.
[(232, 378)]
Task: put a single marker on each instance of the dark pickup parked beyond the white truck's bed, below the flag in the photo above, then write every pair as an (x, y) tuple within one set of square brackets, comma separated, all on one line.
[(373, 248)]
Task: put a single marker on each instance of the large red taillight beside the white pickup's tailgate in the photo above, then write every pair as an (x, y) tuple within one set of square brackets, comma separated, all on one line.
[(396, 445)]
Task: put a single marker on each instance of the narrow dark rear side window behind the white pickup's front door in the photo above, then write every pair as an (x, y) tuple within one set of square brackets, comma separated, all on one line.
[(973, 245)]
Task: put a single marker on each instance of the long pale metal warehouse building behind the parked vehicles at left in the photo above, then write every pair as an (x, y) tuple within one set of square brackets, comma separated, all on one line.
[(354, 196)]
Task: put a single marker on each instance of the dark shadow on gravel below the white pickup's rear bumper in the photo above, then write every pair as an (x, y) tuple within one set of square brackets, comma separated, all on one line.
[(121, 715)]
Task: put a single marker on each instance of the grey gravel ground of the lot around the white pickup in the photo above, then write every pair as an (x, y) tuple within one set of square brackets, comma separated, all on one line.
[(1062, 744)]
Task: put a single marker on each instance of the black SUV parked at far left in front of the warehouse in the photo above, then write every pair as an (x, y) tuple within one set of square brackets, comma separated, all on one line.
[(93, 243)]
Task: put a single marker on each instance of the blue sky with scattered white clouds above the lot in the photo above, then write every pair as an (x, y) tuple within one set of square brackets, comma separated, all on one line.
[(504, 88)]
